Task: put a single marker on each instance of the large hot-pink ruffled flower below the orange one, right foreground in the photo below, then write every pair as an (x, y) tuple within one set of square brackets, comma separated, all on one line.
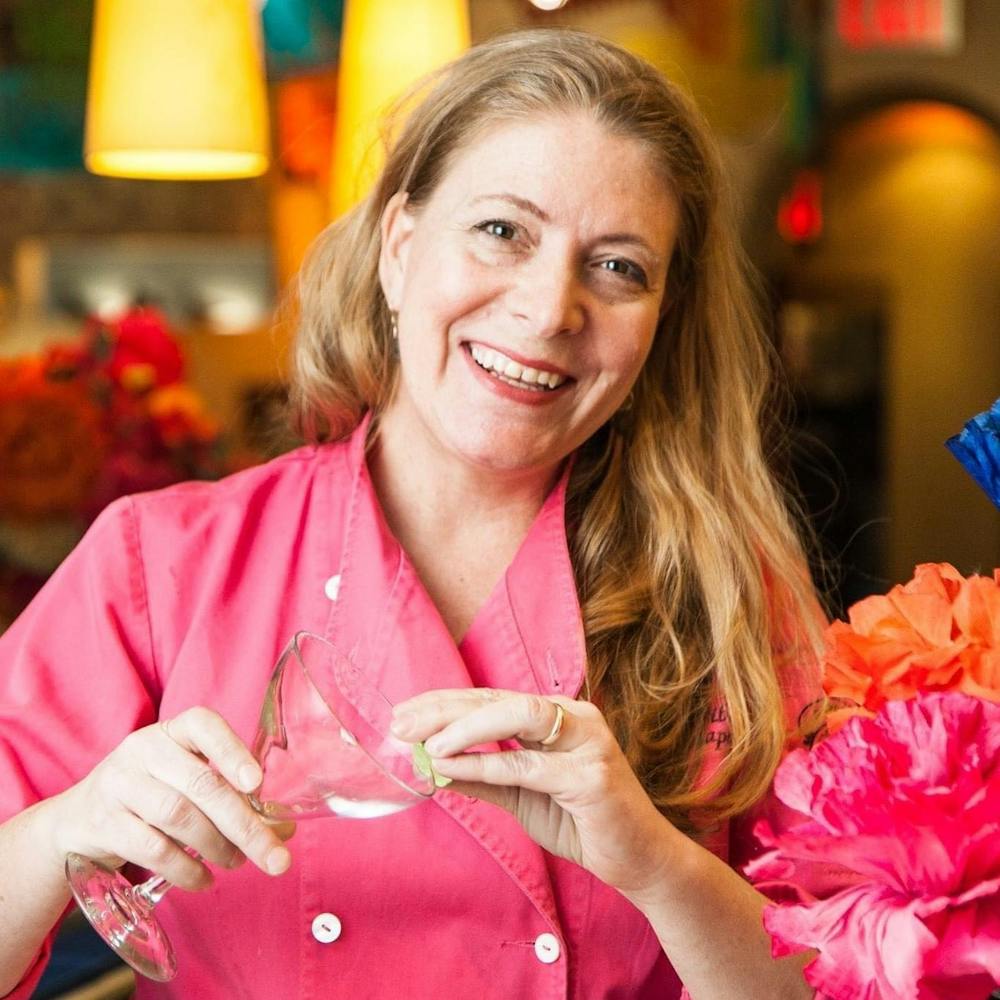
[(893, 873)]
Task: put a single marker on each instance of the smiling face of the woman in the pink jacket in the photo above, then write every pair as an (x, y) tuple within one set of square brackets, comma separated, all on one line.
[(528, 286)]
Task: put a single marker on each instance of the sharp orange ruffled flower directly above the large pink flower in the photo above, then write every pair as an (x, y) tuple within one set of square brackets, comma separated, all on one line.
[(939, 632)]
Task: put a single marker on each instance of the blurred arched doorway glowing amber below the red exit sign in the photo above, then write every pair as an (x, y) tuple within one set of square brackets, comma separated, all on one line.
[(894, 315)]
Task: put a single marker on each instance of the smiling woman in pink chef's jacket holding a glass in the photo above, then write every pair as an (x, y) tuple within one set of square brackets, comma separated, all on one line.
[(532, 352)]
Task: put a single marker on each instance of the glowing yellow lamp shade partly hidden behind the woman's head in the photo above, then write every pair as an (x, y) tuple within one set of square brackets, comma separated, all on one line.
[(386, 46)]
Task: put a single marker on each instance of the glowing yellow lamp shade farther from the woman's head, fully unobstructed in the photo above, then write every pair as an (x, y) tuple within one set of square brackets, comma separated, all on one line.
[(176, 90)]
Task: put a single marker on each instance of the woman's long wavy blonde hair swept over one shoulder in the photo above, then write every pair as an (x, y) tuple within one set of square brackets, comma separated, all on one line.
[(689, 567)]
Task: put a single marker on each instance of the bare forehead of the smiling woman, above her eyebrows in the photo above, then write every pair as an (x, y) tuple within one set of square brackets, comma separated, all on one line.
[(570, 165)]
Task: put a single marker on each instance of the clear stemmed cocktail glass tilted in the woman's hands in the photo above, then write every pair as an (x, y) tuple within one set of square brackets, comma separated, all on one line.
[(324, 746)]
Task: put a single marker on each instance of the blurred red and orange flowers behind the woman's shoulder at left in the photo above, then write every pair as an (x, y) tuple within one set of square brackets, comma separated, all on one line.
[(103, 416)]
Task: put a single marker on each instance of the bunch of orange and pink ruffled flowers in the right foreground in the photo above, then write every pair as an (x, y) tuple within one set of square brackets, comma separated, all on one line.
[(892, 874)]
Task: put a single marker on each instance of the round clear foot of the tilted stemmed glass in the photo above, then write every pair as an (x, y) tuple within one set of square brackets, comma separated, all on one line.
[(123, 919)]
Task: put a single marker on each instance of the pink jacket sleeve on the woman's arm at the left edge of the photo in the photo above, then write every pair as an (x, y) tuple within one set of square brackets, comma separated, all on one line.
[(76, 673)]
